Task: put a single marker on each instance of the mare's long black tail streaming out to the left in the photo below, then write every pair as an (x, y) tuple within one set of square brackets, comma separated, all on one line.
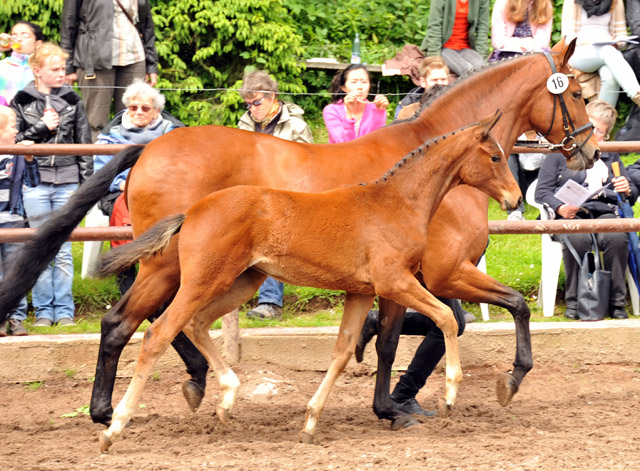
[(36, 254)]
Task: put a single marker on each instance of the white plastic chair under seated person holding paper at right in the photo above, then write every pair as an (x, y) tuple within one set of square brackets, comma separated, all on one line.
[(551, 260)]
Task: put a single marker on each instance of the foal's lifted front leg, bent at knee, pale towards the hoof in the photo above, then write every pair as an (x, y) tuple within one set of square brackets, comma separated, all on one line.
[(407, 291)]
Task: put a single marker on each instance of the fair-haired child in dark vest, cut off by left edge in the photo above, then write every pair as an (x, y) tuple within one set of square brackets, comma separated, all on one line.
[(14, 172)]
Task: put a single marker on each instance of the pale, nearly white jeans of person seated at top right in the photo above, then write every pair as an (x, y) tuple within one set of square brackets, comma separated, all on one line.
[(614, 70)]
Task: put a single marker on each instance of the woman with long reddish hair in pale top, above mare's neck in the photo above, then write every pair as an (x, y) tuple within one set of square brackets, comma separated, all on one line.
[(519, 26)]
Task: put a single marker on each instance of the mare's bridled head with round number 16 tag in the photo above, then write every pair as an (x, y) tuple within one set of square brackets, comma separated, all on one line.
[(560, 113)]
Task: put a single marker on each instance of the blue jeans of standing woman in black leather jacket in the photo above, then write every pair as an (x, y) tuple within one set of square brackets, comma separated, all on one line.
[(52, 297)]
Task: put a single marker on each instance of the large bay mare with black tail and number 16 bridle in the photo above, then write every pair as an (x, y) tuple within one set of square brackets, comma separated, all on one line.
[(179, 168)]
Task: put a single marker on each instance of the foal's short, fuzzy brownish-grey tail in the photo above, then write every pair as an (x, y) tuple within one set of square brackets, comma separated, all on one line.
[(152, 242)]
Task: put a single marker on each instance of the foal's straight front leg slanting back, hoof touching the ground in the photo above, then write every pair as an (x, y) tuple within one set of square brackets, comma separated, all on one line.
[(355, 311)]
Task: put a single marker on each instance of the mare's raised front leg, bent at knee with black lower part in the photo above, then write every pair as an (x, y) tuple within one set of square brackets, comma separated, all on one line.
[(475, 286)]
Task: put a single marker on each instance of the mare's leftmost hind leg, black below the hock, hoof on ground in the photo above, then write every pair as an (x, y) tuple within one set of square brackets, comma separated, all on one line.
[(149, 291)]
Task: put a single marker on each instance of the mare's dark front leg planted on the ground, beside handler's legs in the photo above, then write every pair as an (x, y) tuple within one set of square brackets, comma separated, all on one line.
[(390, 320)]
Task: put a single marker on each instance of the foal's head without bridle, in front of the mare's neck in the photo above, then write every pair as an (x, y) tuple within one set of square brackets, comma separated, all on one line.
[(487, 169)]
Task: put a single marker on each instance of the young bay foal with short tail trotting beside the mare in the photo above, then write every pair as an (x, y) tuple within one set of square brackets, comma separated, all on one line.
[(368, 240)]
